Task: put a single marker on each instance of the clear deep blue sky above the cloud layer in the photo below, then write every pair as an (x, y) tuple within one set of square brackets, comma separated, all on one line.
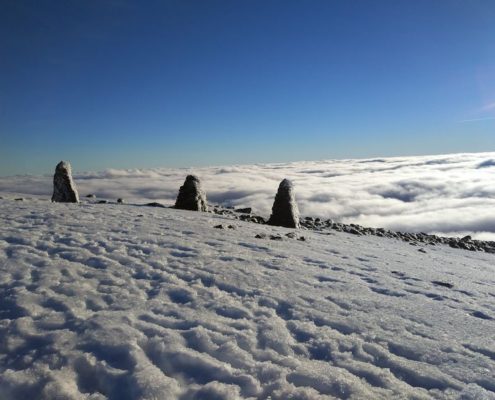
[(128, 84)]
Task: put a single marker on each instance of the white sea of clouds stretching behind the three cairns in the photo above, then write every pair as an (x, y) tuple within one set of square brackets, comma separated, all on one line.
[(446, 194)]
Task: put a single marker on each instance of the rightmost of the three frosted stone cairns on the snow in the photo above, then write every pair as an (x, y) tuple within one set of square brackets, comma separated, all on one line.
[(284, 211)]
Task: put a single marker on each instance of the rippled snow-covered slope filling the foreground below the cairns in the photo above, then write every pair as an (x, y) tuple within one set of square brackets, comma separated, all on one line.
[(128, 302)]
